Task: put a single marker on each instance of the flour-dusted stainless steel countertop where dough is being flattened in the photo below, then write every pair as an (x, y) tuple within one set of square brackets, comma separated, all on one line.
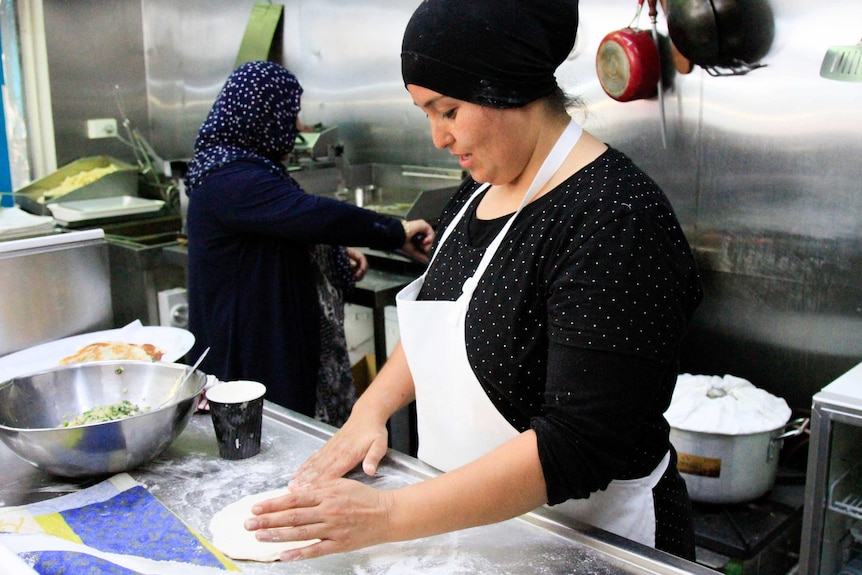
[(191, 480)]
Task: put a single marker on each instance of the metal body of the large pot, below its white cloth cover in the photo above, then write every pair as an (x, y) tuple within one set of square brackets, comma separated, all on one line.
[(720, 468)]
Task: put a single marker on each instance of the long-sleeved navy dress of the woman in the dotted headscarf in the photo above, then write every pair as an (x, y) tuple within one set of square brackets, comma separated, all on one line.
[(252, 294)]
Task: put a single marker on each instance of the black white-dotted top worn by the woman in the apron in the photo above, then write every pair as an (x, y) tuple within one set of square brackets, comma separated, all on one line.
[(574, 328)]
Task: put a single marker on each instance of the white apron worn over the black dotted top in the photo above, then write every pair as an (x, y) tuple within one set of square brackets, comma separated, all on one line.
[(457, 422)]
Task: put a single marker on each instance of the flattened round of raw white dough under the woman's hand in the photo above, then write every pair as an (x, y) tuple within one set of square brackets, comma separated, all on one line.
[(232, 539)]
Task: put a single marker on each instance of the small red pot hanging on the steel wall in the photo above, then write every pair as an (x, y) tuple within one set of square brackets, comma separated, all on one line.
[(628, 66)]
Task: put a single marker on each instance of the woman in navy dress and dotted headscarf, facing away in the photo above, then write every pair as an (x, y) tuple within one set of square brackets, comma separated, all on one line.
[(251, 280)]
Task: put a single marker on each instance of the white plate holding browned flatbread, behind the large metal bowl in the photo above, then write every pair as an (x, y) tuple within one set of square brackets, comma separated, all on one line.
[(173, 340)]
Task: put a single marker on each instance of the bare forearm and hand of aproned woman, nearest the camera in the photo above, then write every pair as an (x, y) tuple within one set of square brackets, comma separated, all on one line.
[(347, 515)]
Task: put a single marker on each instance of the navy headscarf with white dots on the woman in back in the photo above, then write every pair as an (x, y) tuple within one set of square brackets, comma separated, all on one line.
[(254, 116)]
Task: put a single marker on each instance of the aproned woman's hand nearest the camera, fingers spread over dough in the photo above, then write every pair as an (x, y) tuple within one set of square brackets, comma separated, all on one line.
[(344, 514)]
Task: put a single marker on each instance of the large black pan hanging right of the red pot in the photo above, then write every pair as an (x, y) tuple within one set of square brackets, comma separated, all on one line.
[(715, 34)]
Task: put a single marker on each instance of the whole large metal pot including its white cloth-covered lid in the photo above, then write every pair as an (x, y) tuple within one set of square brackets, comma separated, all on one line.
[(727, 434)]
